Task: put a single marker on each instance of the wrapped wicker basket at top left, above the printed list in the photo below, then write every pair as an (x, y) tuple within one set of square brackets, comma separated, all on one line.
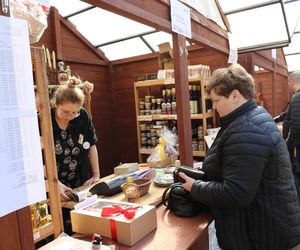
[(35, 14)]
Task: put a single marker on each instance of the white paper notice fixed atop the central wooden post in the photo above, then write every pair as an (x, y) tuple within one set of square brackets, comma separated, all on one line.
[(181, 19)]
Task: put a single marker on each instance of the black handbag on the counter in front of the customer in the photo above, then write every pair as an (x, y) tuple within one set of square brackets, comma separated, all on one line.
[(179, 201)]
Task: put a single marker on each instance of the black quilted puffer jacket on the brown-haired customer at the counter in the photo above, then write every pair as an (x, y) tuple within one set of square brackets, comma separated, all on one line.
[(250, 186)]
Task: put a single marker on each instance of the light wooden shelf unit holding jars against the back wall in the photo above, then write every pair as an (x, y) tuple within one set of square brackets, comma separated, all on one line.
[(154, 88)]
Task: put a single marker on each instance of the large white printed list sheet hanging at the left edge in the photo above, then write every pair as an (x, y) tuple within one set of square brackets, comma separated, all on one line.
[(21, 172)]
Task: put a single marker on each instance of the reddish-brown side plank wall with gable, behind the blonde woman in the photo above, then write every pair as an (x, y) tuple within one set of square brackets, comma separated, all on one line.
[(76, 52)]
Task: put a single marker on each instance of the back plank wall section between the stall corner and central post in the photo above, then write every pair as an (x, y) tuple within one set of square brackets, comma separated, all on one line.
[(125, 116)]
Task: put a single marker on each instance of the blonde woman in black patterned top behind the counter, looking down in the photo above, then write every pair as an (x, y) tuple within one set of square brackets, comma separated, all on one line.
[(74, 138)]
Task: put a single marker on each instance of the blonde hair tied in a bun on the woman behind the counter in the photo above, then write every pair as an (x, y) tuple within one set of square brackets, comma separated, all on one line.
[(69, 93)]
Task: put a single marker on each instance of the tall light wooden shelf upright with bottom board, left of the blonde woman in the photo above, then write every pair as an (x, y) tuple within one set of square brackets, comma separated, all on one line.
[(55, 226)]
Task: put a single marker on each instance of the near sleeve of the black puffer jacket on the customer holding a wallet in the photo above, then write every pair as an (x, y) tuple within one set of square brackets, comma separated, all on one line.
[(244, 157)]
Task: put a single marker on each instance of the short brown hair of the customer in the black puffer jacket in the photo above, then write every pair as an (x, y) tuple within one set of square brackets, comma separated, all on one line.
[(223, 81)]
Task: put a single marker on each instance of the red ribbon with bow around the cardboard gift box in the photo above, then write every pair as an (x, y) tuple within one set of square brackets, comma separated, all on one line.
[(116, 210)]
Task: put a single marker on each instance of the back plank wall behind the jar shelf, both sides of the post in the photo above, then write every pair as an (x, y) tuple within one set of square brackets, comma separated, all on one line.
[(123, 75)]
